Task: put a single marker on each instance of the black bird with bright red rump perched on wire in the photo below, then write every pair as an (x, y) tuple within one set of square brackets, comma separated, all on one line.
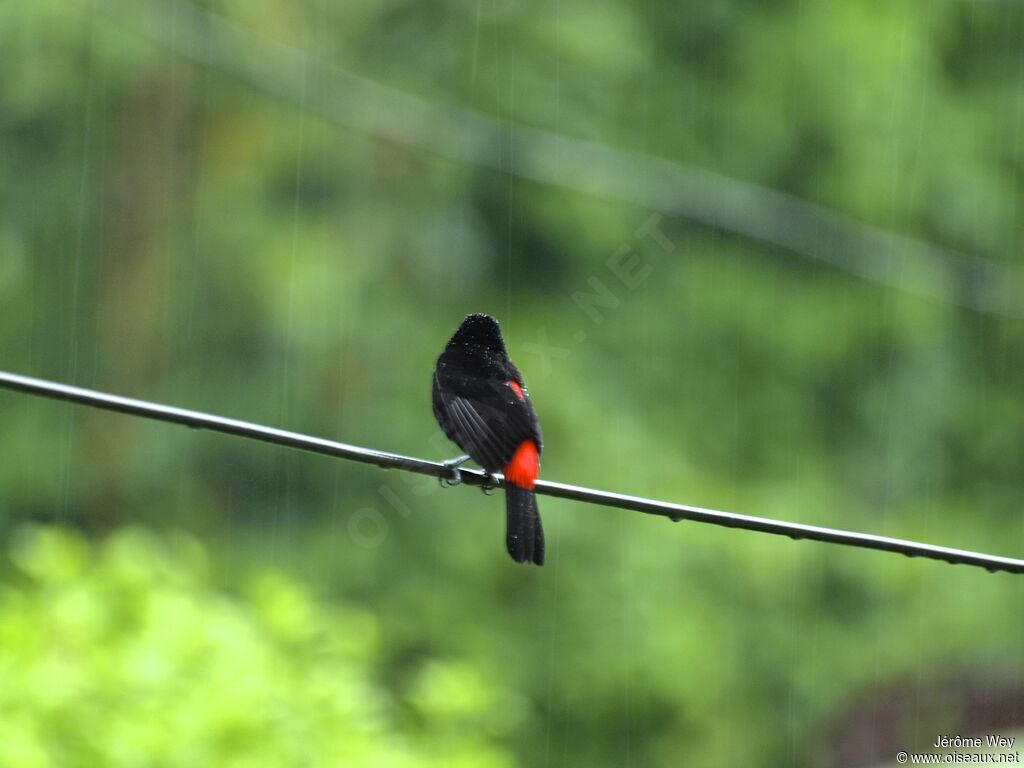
[(483, 406)]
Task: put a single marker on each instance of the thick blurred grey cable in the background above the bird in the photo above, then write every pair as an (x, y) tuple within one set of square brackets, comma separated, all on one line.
[(743, 208)]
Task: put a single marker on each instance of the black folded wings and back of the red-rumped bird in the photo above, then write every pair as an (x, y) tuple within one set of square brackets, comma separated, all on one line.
[(490, 420)]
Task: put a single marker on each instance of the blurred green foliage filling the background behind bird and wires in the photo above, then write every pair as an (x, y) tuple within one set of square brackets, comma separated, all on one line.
[(176, 230)]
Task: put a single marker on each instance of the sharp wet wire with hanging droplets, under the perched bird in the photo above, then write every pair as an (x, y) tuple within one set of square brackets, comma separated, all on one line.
[(675, 513)]
